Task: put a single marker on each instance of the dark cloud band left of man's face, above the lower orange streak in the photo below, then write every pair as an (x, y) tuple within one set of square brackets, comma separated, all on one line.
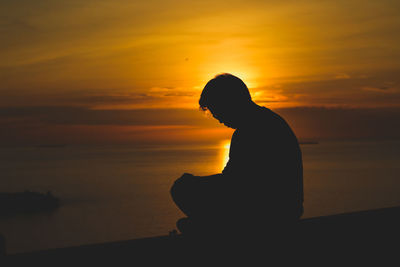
[(56, 115)]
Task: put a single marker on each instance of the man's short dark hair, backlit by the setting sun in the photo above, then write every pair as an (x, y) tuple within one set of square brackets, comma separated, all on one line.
[(222, 89)]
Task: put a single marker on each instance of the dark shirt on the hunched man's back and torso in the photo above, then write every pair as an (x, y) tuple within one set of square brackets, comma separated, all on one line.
[(265, 166)]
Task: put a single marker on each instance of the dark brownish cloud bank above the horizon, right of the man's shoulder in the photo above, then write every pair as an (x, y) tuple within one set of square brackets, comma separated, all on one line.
[(340, 123)]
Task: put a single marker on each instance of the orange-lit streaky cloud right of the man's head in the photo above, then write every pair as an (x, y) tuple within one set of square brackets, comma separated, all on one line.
[(358, 90)]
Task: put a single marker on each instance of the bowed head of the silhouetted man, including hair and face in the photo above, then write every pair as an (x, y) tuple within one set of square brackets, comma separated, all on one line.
[(226, 97)]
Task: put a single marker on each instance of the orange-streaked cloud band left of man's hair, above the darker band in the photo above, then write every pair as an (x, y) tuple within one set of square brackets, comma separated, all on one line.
[(132, 98)]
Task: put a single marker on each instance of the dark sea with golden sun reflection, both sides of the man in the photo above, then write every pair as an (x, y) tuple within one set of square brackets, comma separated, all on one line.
[(111, 193)]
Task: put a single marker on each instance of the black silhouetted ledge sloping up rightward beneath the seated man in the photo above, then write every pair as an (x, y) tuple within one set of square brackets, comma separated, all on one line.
[(360, 238)]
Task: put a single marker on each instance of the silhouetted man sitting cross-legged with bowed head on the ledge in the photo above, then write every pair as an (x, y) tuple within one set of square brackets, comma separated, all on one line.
[(261, 185)]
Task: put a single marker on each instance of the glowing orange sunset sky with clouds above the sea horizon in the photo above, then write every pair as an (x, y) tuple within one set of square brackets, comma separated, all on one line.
[(122, 71)]
